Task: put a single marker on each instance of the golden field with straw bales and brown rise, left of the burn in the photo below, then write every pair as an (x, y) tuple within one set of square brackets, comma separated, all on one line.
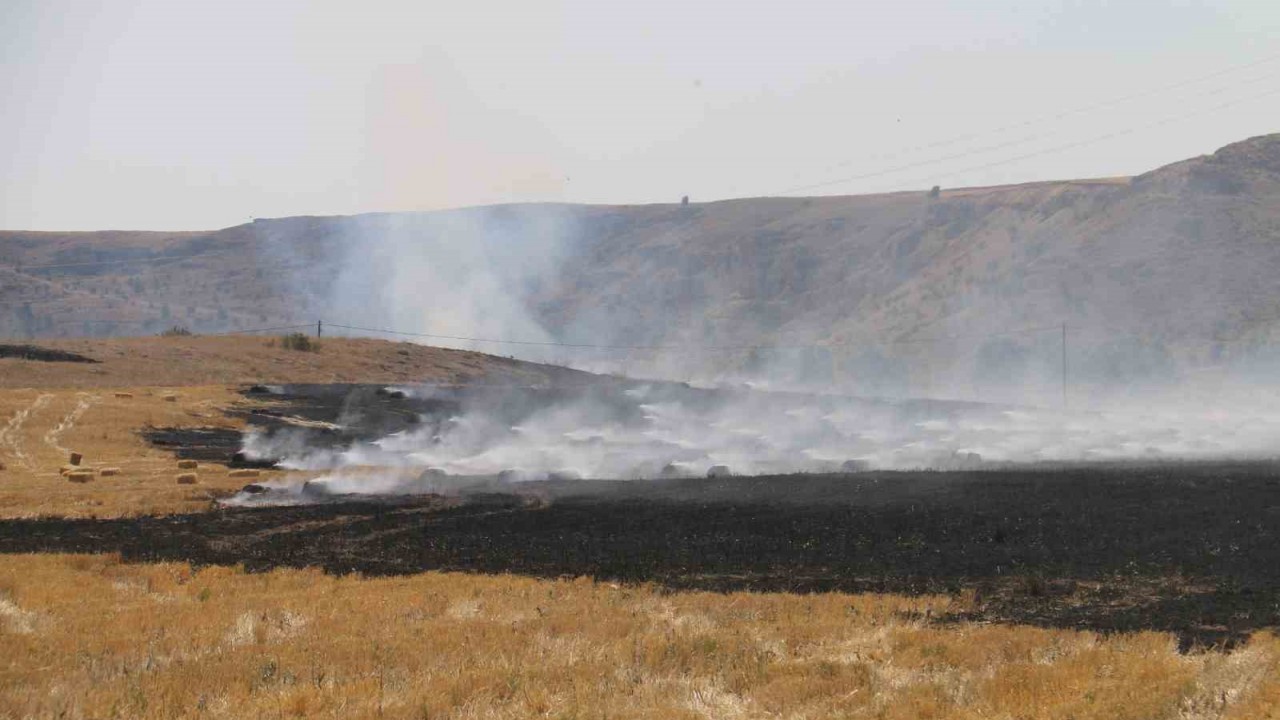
[(51, 409)]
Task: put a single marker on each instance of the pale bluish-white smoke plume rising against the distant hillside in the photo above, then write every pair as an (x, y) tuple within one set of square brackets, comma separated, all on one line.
[(463, 274)]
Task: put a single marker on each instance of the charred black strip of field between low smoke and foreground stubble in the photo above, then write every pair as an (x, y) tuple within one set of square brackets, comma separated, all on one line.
[(1188, 549)]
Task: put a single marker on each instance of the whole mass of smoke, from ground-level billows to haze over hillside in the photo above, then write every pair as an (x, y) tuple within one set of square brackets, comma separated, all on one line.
[(785, 368)]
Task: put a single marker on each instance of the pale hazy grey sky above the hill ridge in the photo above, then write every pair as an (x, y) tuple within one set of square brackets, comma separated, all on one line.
[(176, 115)]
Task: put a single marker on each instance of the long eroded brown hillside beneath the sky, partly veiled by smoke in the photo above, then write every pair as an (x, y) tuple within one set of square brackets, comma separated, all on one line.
[(1156, 276)]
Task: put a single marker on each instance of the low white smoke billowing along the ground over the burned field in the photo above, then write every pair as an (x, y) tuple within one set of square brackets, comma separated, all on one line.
[(650, 431)]
